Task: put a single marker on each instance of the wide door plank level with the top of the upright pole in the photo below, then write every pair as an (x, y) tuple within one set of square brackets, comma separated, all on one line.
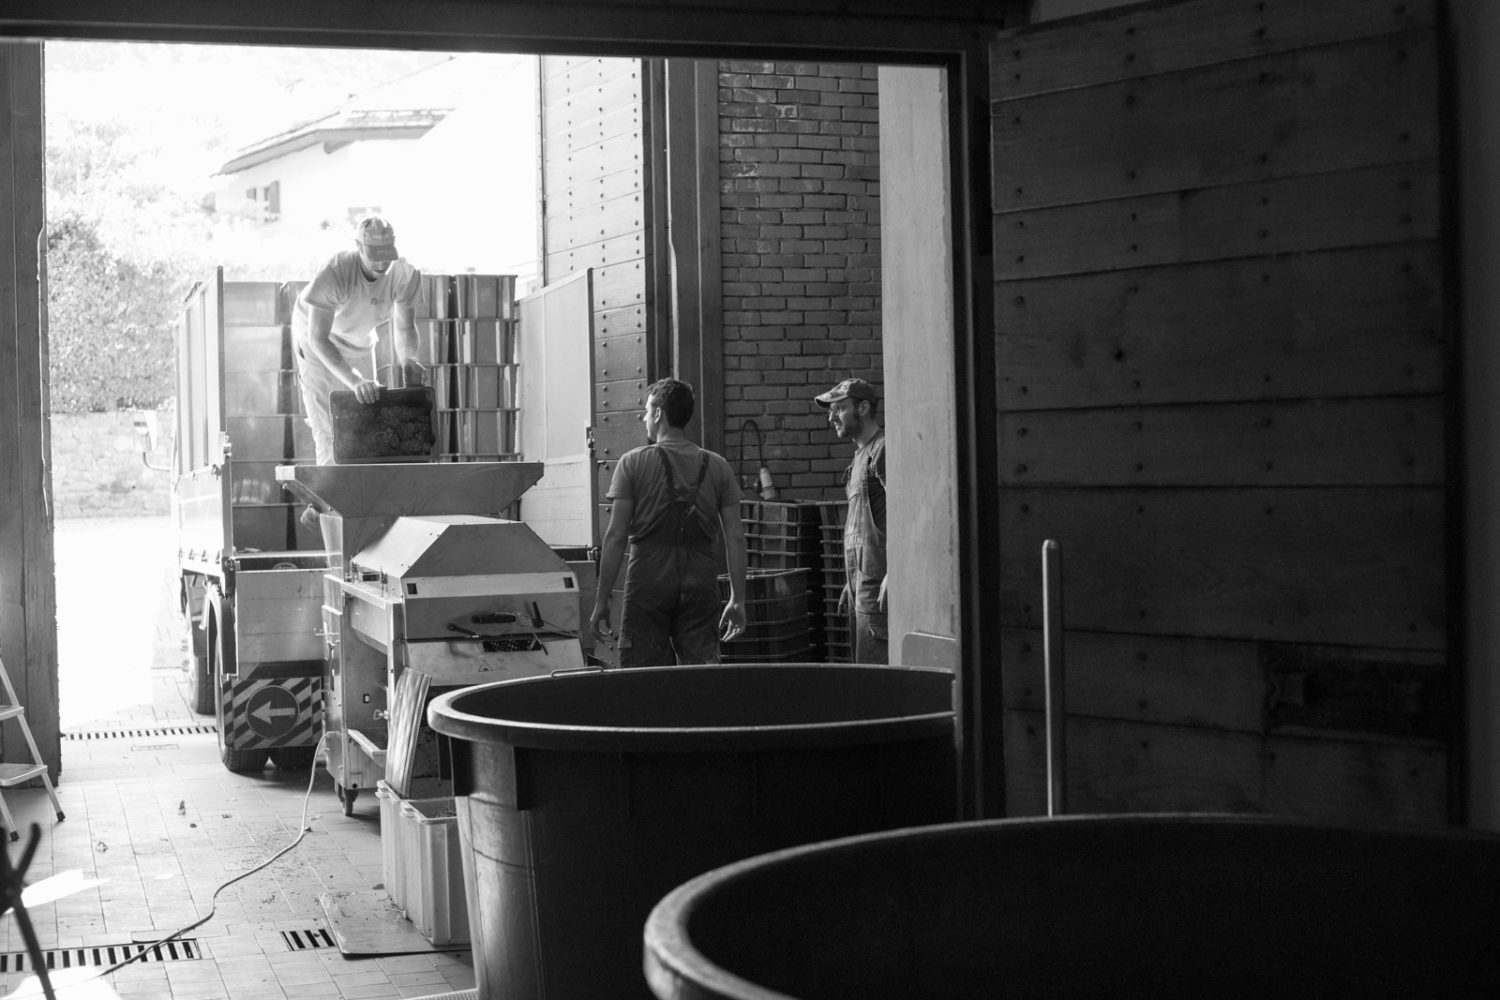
[(1318, 566)]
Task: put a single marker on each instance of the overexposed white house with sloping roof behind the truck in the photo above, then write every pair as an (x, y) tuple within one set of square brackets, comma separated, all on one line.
[(449, 154)]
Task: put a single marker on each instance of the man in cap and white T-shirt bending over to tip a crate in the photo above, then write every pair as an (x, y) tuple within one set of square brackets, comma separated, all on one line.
[(335, 326)]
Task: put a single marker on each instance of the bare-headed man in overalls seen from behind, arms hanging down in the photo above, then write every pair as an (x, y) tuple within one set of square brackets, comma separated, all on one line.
[(673, 501)]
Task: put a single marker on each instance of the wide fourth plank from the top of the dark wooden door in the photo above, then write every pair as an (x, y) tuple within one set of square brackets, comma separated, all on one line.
[(1346, 323)]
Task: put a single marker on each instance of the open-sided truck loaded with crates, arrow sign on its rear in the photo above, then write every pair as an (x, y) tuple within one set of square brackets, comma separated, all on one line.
[(262, 590)]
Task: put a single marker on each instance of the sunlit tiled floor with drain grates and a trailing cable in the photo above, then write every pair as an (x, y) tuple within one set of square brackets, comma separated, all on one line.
[(155, 825)]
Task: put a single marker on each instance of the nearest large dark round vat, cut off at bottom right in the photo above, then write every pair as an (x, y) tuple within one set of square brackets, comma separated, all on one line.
[(1130, 906)]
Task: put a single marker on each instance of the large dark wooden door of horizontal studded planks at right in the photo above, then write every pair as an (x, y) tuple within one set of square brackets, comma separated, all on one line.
[(1225, 391)]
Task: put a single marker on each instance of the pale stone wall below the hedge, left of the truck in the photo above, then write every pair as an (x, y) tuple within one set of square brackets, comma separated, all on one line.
[(98, 470)]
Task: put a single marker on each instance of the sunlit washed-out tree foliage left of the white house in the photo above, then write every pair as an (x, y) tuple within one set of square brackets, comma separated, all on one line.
[(134, 137)]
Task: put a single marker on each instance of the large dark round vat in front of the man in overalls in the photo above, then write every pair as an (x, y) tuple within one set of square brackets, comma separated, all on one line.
[(592, 795)]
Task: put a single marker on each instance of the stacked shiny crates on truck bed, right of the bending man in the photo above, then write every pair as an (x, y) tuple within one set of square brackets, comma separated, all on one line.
[(467, 332)]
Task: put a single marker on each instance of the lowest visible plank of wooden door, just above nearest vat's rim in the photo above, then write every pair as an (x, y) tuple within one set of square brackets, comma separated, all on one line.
[(1120, 767)]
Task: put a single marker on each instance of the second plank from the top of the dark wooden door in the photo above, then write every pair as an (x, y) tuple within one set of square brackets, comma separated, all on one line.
[(1309, 112)]
